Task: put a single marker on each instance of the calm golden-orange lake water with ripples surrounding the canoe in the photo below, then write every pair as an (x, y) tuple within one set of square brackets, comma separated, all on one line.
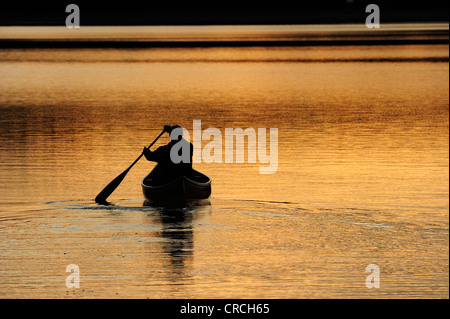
[(362, 177)]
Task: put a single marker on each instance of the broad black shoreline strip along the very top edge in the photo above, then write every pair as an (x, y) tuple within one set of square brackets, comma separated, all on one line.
[(131, 12)]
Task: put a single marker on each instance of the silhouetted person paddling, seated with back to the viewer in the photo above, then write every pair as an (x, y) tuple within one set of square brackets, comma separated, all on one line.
[(167, 168)]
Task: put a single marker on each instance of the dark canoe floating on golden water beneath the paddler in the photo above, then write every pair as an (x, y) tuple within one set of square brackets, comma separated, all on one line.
[(186, 190)]
